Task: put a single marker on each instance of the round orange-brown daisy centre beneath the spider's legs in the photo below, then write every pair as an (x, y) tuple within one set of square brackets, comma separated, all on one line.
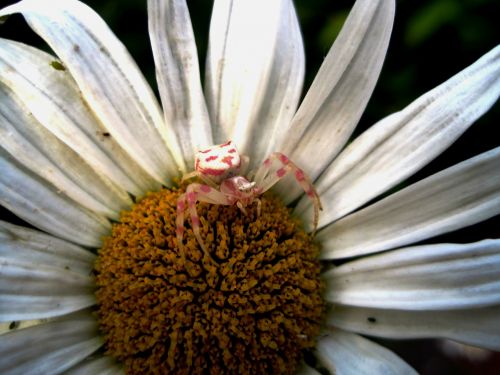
[(255, 310)]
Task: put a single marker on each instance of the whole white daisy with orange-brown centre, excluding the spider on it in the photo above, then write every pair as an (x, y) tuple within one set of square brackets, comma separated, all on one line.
[(90, 159)]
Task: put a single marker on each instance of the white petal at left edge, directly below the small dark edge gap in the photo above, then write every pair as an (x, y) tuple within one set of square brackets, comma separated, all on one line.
[(19, 243)]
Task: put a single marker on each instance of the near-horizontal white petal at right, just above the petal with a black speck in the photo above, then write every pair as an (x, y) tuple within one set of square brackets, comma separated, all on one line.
[(428, 277)]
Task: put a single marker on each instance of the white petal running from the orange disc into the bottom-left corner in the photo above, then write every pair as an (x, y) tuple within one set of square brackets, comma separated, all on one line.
[(49, 348)]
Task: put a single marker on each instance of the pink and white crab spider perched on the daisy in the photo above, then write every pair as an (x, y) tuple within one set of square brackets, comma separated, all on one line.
[(220, 168)]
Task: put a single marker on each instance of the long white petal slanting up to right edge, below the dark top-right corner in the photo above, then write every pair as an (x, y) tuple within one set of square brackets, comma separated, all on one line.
[(404, 142)]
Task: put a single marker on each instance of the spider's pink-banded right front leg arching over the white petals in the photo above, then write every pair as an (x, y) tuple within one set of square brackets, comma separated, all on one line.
[(276, 167)]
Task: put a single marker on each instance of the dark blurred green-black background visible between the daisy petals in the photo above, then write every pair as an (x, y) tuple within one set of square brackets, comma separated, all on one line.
[(431, 41)]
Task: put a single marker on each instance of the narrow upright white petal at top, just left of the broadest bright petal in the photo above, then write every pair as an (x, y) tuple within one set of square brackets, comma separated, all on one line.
[(178, 75)]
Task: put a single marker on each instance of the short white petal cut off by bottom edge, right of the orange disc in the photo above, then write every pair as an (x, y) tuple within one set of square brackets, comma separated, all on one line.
[(345, 353)]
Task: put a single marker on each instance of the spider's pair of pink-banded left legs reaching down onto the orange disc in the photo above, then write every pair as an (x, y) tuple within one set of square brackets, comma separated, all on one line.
[(195, 193)]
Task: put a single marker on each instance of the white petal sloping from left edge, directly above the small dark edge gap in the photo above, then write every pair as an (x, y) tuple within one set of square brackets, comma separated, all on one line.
[(40, 204)]
